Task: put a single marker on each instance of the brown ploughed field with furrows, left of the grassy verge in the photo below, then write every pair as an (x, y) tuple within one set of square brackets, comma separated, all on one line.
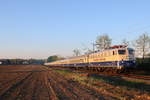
[(37, 82)]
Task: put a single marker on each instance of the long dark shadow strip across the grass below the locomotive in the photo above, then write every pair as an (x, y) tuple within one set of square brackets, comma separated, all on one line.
[(118, 81)]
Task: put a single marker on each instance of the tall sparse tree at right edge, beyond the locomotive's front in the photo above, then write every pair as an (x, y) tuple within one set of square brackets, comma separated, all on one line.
[(142, 45)]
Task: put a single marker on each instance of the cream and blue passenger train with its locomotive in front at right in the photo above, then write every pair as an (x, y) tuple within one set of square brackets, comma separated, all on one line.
[(114, 57)]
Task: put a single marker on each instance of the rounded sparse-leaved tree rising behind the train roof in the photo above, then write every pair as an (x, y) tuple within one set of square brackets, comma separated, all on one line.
[(103, 42)]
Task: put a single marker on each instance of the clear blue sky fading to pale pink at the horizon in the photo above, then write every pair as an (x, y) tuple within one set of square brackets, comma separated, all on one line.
[(39, 28)]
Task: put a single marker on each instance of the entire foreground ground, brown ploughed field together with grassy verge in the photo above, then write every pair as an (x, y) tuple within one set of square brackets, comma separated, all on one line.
[(37, 82)]
